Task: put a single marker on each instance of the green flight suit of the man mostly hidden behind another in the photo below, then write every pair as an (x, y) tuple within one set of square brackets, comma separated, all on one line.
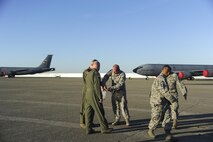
[(82, 109)]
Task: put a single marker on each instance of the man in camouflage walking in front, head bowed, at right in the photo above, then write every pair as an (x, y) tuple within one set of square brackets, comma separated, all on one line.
[(159, 97)]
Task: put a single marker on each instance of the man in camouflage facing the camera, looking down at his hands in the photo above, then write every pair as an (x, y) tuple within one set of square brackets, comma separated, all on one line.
[(118, 89)]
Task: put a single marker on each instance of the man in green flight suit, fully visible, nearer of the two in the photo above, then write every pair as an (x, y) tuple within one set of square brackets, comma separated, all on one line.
[(93, 100)]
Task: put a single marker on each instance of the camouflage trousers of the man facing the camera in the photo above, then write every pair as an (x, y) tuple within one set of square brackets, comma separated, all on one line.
[(119, 105)]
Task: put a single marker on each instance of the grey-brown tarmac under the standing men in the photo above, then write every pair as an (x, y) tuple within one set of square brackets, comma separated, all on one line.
[(47, 110)]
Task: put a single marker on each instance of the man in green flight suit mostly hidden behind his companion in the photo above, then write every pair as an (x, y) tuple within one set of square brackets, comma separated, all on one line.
[(82, 110)]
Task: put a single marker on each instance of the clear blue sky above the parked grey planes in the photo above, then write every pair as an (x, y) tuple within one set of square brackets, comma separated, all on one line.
[(126, 32)]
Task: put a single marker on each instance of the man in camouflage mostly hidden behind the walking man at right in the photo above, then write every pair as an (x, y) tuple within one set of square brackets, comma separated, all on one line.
[(173, 82)]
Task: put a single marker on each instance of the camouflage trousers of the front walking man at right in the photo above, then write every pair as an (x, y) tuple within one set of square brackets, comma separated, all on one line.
[(157, 114)]
